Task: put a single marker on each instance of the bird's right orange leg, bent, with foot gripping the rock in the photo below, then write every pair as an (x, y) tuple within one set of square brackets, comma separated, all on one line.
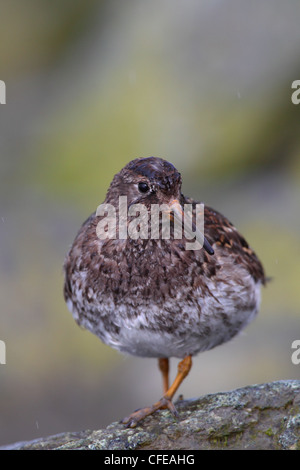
[(166, 401)]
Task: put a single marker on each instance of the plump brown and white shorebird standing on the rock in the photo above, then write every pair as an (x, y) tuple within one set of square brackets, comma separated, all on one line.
[(151, 296)]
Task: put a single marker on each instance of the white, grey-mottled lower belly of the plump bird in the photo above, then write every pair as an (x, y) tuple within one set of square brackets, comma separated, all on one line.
[(205, 324)]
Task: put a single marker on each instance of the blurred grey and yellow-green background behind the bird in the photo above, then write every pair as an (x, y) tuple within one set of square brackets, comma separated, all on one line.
[(90, 85)]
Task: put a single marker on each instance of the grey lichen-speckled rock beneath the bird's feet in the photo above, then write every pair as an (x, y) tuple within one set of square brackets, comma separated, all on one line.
[(263, 416)]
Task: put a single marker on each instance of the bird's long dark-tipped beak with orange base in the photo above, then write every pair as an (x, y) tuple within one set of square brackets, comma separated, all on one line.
[(191, 231)]
